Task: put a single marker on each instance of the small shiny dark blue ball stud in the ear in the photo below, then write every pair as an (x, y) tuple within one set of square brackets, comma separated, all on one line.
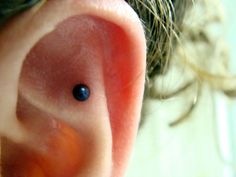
[(81, 92)]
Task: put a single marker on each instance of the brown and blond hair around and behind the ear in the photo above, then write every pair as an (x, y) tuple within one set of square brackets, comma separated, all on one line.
[(178, 35)]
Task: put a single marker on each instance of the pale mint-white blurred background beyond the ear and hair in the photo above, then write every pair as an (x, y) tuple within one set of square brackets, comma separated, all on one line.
[(202, 146)]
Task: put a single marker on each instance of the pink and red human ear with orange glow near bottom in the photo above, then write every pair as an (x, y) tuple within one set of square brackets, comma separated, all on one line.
[(99, 44)]
